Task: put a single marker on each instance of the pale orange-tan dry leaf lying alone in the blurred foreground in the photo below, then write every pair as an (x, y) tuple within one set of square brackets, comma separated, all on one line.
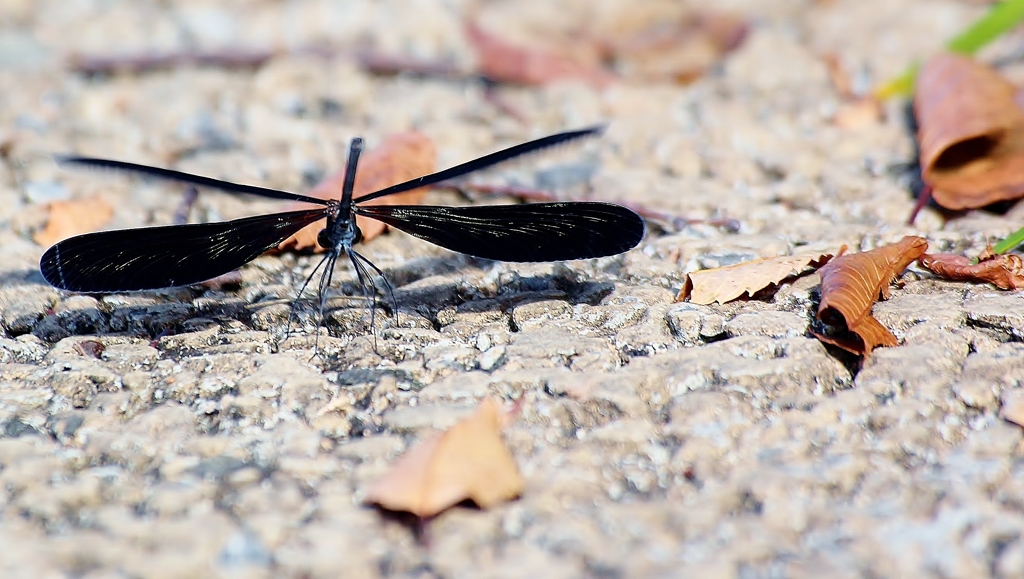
[(470, 462)]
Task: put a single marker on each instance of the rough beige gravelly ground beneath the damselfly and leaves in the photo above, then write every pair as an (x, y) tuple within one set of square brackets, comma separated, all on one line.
[(657, 439)]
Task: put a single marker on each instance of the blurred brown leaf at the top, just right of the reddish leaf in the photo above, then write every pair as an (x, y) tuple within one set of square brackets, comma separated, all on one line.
[(680, 50)]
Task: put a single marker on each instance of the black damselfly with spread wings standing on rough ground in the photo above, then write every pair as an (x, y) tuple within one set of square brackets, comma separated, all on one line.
[(157, 258)]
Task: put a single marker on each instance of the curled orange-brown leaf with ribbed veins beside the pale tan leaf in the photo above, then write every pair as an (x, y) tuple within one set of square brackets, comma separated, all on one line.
[(850, 286)]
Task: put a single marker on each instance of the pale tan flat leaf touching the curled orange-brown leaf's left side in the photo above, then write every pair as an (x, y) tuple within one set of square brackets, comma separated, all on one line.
[(727, 284)]
